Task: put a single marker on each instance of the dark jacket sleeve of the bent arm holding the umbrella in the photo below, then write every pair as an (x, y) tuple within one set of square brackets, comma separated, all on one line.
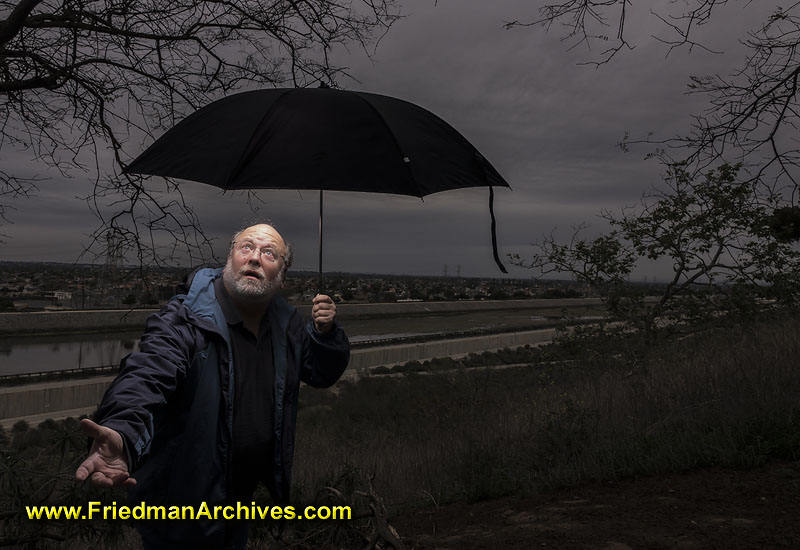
[(325, 356)]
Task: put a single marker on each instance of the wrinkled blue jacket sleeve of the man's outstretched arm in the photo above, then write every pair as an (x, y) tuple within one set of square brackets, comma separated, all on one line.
[(147, 379)]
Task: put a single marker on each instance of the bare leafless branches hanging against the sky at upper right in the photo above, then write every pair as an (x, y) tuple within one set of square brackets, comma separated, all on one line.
[(753, 111)]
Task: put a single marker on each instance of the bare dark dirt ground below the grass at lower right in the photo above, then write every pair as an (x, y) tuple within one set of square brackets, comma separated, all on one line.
[(702, 509)]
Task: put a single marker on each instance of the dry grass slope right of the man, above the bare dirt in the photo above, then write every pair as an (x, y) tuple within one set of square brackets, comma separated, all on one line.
[(728, 398)]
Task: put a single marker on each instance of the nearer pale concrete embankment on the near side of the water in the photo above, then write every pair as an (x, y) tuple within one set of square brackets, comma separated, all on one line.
[(37, 402)]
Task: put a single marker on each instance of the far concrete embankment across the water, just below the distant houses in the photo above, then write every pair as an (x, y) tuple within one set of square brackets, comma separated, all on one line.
[(53, 322)]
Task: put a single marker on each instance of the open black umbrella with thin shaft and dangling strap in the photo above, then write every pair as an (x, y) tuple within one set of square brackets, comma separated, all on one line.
[(320, 138)]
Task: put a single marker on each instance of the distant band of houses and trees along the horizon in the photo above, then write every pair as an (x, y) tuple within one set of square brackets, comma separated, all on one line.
[(44, 286)]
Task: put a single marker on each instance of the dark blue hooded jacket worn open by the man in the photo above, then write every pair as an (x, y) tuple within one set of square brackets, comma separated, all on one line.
[(173, 402)]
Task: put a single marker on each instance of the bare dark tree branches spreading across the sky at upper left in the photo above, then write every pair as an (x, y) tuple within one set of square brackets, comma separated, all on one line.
[(83, 82)]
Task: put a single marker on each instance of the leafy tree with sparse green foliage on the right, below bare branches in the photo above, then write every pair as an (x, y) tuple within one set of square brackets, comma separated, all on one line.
[(714, 230)]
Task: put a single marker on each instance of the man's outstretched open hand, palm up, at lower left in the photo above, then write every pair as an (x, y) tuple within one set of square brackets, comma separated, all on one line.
[(106, 465)]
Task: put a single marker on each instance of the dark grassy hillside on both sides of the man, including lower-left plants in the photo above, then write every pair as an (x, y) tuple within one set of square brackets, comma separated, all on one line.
[(588, 408)]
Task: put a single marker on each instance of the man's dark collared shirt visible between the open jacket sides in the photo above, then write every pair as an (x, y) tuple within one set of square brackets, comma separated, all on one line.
[(253, 398)]
